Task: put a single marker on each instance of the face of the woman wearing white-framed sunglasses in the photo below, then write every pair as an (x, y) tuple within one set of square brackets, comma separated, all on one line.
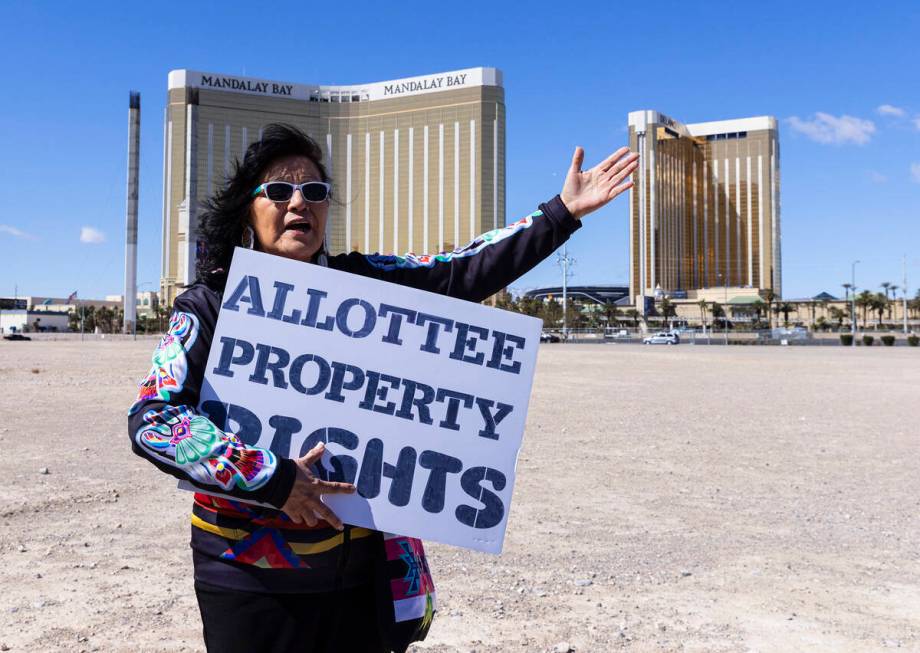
[(293, 229)]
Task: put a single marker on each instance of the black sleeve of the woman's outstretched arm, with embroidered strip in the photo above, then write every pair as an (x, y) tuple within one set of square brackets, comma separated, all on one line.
[(480, 268)]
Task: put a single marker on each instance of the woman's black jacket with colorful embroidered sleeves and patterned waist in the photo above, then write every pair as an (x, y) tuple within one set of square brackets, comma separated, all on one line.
[(239, 545)]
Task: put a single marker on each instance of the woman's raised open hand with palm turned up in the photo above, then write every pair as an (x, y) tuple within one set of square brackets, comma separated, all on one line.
[(589, 190)]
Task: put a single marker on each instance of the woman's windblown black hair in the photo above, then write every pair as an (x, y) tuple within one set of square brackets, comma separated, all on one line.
[(226, 213)]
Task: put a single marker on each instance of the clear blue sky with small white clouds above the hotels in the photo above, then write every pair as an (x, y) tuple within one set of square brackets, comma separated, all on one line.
[(572, 72)]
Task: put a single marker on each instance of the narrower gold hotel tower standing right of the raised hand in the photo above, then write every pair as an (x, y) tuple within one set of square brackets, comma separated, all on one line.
[(705, 209)]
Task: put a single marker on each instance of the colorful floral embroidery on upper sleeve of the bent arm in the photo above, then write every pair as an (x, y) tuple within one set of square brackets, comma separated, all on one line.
[(170, 365)]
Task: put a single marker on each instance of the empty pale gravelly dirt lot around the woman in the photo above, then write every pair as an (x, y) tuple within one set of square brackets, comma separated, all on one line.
[(668, 499)]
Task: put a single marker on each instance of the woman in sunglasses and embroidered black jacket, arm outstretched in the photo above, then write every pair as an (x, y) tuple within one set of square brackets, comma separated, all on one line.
[(292, 577)]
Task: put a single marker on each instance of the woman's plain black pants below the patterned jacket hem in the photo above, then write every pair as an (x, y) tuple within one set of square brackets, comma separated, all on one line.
[(251, 622)]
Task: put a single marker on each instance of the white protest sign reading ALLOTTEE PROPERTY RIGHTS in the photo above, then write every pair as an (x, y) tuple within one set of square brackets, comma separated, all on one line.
[(421, 399)]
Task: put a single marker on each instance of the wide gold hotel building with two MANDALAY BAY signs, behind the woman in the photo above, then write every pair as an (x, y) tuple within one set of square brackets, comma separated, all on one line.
[(417, 164)]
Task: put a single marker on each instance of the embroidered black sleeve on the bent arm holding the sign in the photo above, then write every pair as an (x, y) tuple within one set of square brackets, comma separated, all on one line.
[(166, 429)]
